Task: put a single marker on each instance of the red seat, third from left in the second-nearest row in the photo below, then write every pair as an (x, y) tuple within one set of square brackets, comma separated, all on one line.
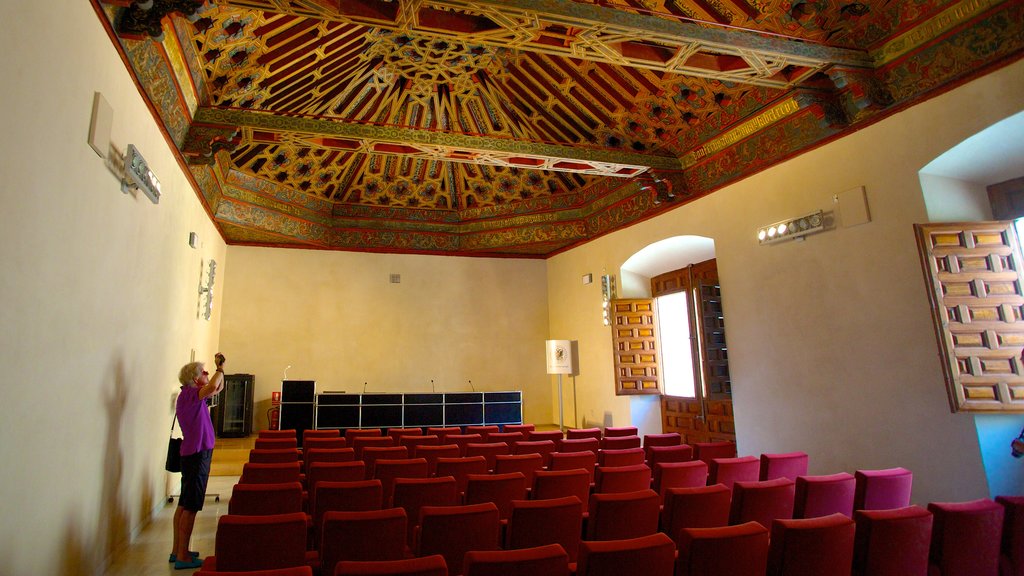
[(453, 531)]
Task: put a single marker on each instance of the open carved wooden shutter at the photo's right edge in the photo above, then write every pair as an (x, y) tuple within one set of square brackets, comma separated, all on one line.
[(973, 273)]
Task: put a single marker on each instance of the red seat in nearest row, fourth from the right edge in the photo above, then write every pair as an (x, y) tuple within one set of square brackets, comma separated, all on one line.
[(814, 547)]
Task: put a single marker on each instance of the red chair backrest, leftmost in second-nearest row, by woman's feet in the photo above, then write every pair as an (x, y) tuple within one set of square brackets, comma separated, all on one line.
[(261, 543)]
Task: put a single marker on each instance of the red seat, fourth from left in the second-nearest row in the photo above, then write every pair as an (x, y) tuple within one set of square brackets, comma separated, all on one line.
[(536, 523)]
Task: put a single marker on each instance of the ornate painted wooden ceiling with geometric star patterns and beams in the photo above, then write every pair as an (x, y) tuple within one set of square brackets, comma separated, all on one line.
[(520, 128)]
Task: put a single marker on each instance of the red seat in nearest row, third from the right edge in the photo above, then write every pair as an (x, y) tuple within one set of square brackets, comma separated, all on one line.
[(892, 543)]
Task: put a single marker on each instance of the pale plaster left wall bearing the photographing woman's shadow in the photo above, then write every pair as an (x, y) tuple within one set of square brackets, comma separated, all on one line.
[(100, 300)]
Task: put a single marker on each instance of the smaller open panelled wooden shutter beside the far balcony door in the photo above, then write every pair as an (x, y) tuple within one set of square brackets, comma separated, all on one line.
[(635, 342)]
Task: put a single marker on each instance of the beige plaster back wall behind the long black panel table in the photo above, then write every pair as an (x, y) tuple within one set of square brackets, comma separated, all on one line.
[(336, 318)]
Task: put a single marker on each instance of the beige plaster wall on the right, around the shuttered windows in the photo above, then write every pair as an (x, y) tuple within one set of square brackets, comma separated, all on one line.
[(831, 343)]
